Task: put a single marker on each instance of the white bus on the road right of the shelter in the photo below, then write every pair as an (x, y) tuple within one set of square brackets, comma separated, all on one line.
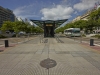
[(72, 32)]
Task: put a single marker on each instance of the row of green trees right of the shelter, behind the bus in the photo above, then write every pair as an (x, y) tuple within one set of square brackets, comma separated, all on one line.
[(89, 25)]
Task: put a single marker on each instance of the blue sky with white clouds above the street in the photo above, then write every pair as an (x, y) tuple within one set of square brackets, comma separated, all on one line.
[(49, 9)]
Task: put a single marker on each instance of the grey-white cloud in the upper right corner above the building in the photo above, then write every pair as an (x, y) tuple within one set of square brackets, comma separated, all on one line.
[(85, 4)]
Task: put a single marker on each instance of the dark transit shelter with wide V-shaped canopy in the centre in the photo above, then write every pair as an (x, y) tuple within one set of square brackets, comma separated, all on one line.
[(49, 26)]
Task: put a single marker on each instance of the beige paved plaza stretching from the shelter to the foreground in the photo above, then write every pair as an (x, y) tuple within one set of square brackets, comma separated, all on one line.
[(71, 58)]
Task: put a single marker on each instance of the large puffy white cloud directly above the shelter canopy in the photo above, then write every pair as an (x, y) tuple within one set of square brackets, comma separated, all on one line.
[(58, 12)]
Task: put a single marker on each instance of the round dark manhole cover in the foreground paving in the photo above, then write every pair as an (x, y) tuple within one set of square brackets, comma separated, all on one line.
[(48, 63)]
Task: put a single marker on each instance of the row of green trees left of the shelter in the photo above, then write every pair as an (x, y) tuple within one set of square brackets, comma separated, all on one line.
[(20, 26)]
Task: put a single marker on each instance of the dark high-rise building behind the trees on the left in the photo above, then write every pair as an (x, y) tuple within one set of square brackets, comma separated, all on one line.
[(6, 15)]
